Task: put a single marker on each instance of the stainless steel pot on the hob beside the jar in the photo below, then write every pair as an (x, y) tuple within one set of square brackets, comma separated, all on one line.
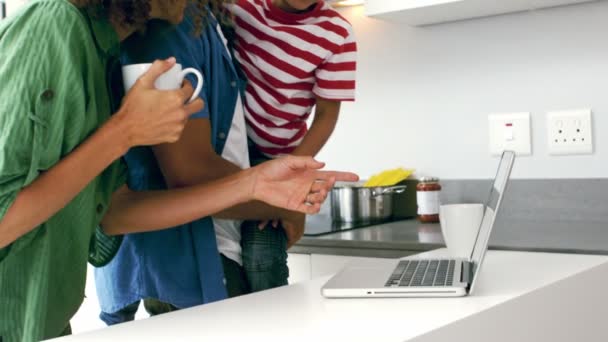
[(353, 203)]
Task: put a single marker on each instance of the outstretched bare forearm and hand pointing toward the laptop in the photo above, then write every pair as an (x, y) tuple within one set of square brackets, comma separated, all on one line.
[(293, 183)]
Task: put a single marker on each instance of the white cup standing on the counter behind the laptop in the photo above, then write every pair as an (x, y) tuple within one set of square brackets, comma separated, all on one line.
[(459, 226)]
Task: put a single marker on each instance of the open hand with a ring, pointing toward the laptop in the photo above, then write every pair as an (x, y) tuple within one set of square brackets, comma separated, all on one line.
[(295, 183)]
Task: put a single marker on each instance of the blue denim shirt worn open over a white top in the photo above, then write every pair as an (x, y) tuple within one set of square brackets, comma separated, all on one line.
[(181, 265)]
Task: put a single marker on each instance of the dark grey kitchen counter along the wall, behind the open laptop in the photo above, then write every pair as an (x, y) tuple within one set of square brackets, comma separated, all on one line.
[(400, 238)]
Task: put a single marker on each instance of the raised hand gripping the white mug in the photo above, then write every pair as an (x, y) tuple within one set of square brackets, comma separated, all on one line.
[(150, 116)]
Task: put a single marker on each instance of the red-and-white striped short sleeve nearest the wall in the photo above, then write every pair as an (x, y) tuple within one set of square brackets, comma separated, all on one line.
[(335, 77)]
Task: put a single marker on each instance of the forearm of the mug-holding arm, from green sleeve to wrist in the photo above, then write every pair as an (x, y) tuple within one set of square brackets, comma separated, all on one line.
[(57, 186)]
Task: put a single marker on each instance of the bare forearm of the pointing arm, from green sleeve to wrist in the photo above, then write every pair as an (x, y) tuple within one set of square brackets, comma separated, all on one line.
[(132, 212)]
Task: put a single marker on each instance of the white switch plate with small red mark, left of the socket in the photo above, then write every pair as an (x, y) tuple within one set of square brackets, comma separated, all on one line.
[(509, 131)]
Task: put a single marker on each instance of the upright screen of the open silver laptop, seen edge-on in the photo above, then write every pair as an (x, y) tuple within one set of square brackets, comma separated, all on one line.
[(491, 208)]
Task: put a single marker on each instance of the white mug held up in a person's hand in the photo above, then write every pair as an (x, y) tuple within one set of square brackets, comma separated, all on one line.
[(170, 80)]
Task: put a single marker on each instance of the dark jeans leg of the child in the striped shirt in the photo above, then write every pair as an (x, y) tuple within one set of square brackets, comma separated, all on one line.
[(264, 256)]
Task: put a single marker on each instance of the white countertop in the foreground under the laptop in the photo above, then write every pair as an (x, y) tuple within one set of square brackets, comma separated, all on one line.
[(516, 290)]
